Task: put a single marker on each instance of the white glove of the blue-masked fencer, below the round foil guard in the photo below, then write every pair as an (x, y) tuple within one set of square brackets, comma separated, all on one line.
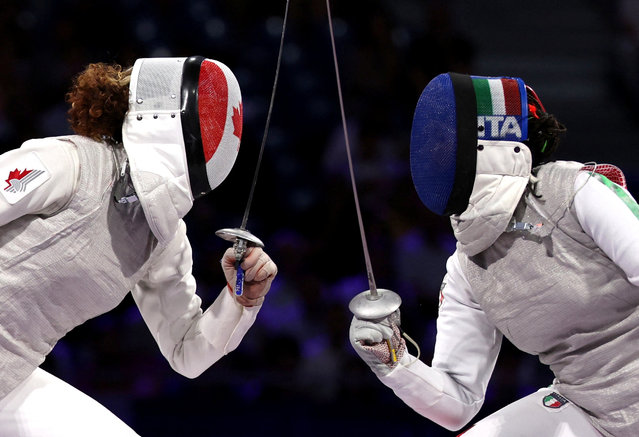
[(378, 342)]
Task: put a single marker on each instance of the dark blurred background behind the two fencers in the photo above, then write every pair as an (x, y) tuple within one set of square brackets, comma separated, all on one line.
[(295, 373)]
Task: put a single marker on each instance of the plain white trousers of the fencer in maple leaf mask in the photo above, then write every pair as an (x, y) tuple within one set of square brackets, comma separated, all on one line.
[(45, 406)]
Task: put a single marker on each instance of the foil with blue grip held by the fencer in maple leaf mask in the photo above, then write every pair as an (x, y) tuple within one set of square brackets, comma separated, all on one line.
[(242, 239)]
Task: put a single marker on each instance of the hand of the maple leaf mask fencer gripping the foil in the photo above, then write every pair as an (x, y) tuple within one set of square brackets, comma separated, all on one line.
[(259, 272)]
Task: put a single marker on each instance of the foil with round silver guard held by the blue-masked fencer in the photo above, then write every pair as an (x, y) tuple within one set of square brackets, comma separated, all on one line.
[(373, 304)]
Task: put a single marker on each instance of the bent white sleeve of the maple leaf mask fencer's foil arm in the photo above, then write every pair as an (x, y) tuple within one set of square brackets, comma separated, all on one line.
[(189, 339)]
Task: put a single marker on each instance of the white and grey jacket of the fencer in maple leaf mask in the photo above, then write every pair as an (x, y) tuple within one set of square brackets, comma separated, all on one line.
[(68, 253)]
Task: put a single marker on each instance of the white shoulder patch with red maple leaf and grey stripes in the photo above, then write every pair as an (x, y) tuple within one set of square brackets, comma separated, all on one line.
[(22, 176)]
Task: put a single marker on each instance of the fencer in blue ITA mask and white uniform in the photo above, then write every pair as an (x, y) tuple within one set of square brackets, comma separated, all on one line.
[(546, 256)]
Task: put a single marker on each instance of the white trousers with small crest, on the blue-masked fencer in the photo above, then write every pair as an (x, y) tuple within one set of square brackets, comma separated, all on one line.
[(544, 413)]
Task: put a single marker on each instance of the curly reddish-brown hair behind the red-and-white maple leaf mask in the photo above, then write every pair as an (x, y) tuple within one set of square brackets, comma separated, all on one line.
[(99, 99)]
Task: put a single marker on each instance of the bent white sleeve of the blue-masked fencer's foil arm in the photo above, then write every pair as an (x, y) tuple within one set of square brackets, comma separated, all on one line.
[(451, 392)]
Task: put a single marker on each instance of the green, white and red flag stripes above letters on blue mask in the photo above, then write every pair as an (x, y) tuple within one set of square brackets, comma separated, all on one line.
[(497, 96)]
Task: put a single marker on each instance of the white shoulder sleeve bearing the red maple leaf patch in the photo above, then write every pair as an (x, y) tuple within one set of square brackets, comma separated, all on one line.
[(37, 178)]
